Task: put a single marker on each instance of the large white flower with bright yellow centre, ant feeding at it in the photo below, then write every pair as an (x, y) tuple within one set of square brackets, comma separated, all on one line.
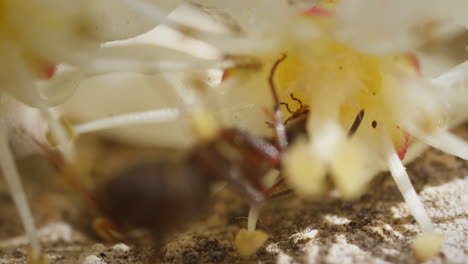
[(344, 57)]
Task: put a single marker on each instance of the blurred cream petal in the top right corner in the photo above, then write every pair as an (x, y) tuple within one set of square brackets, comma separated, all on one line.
[(390, 26)]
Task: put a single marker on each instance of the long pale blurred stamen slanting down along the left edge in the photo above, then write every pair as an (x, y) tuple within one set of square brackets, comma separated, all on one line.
[(12, 178)]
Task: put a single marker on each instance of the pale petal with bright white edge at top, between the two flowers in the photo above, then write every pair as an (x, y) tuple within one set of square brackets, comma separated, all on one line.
[(211, 32)]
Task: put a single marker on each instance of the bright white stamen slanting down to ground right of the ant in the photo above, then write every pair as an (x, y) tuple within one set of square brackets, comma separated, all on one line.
[(405, 186)]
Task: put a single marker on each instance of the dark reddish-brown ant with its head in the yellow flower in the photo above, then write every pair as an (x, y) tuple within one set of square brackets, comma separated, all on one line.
[(161, 196)]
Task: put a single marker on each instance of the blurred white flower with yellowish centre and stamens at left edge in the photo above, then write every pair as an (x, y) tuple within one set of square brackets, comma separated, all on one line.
[(35, 37)]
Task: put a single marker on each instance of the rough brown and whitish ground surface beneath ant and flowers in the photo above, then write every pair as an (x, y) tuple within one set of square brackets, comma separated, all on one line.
[(376, 229)]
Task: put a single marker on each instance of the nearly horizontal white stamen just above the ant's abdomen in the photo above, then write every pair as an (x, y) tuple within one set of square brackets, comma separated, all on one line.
[(147, 117)]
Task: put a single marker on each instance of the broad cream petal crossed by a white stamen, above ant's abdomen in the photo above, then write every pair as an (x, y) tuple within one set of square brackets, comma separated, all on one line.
[(116, 94)]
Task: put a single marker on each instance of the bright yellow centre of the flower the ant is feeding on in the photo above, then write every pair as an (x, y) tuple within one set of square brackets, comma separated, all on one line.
[(337, 81)]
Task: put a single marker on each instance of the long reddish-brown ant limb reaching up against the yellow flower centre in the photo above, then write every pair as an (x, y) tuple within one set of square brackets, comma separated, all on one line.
[(280, 130)]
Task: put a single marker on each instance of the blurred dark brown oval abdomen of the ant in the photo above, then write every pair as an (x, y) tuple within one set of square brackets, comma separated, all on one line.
[(157, 196)]
